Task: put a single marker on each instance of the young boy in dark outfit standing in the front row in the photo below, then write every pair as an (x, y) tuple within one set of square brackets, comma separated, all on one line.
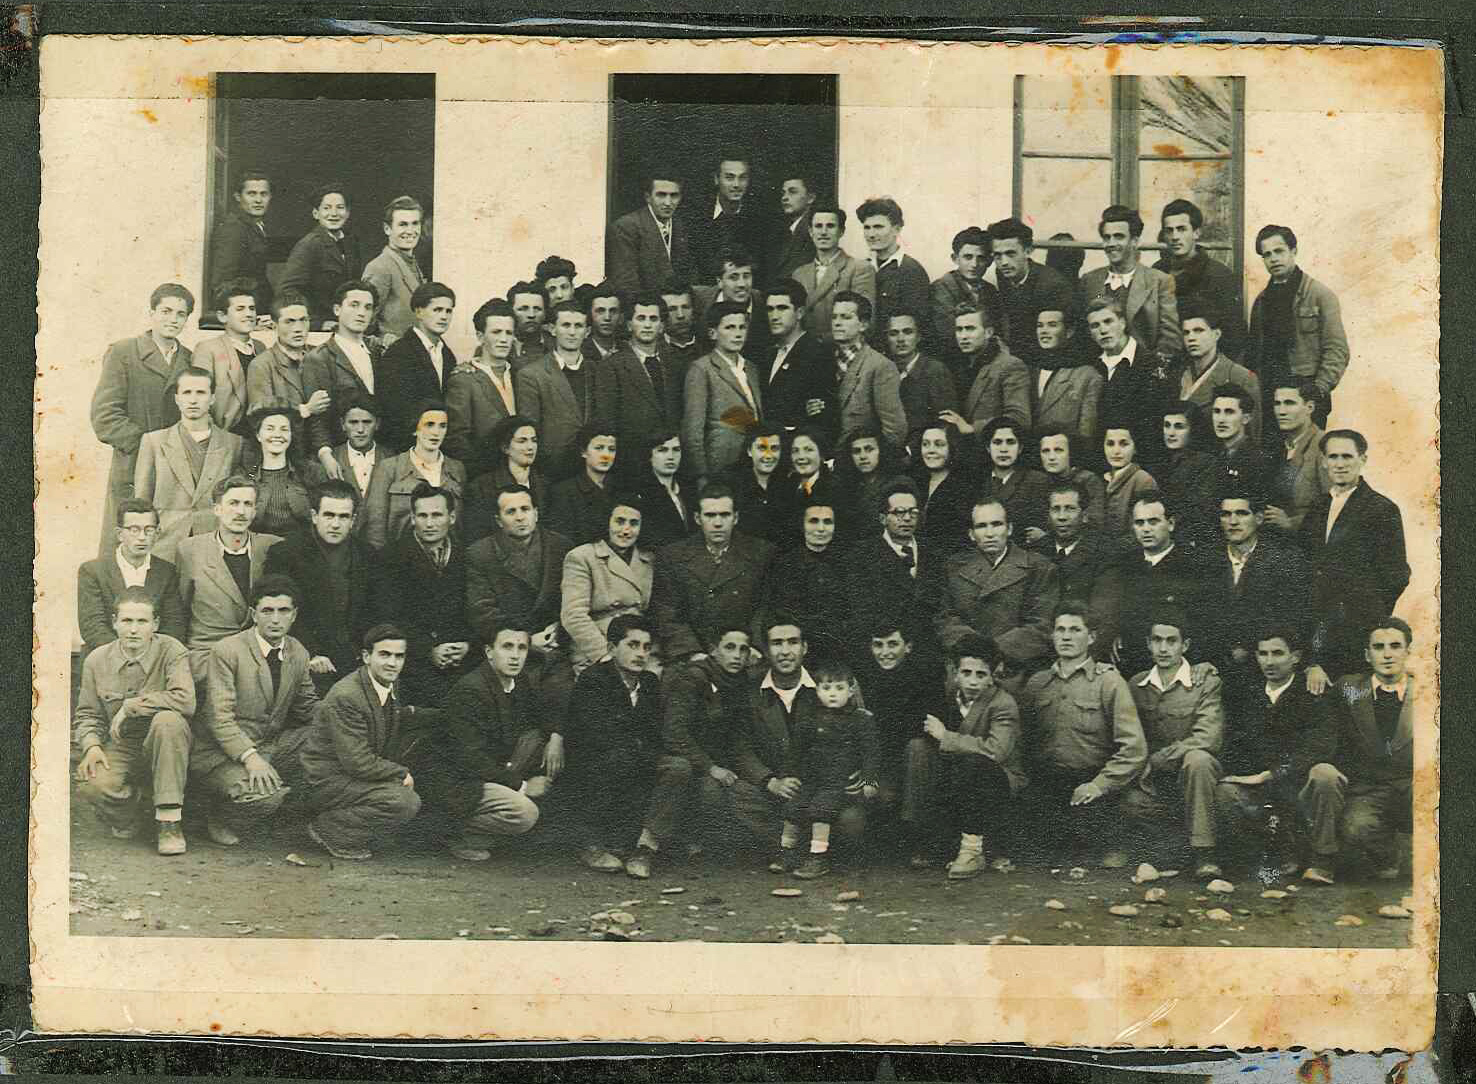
[(835, 755)]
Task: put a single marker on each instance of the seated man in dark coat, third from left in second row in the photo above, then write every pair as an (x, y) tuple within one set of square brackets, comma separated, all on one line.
[(331, 568)]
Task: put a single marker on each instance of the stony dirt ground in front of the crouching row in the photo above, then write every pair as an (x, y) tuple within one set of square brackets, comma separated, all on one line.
[(535, 888)]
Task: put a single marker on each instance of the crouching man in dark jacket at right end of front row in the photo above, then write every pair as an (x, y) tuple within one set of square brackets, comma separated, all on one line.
[(1368, 786)]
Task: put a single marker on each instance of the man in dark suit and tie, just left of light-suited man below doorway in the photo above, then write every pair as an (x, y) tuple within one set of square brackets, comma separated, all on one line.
[(650, 383)]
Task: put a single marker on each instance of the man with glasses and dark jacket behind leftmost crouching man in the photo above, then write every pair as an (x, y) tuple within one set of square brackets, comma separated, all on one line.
[(101, 581)]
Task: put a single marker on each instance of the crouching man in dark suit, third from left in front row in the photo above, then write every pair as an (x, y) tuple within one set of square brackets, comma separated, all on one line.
[(354, 761)]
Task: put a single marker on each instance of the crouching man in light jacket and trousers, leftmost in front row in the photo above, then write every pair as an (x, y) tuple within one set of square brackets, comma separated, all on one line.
[(134, 723)]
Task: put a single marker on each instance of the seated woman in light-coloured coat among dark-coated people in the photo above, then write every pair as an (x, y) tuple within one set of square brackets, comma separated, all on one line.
[(603, 581)]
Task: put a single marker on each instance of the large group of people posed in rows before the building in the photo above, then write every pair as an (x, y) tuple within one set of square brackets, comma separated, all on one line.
[(753, 541)]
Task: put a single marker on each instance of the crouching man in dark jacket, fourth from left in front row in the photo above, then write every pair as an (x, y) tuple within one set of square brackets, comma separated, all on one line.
[(479, 775)]
